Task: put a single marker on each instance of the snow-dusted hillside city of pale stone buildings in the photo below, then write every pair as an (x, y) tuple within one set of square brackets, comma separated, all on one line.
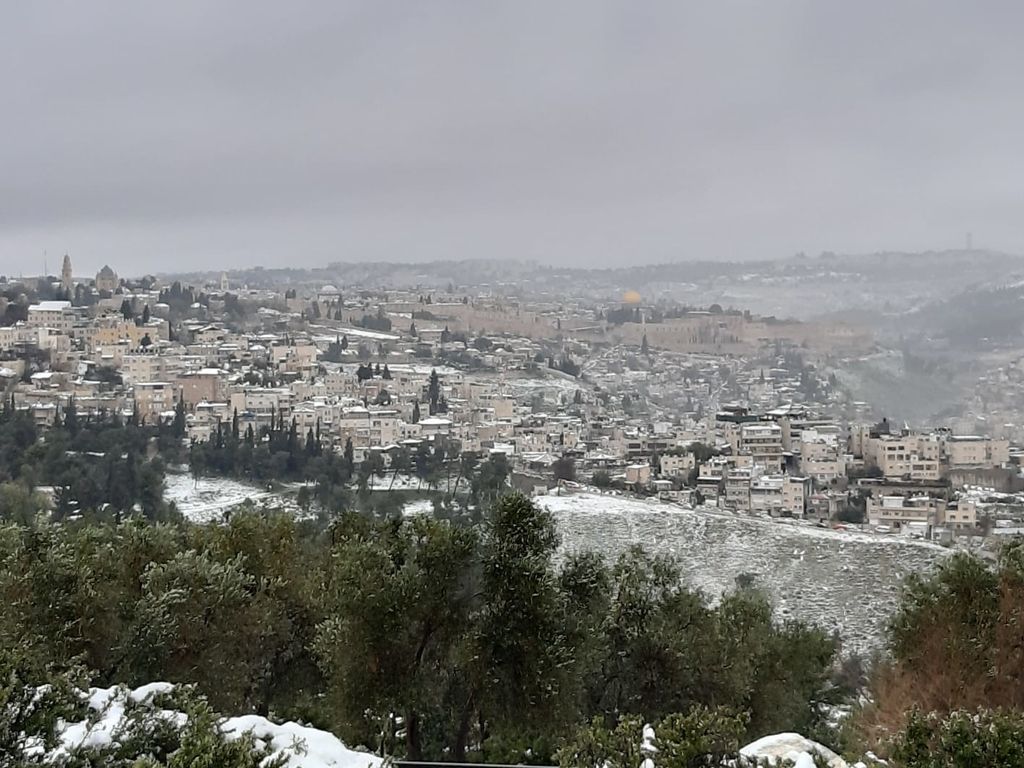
[(694, 407)]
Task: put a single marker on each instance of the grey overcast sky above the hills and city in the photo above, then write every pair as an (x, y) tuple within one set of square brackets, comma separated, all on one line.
[(172, 136)]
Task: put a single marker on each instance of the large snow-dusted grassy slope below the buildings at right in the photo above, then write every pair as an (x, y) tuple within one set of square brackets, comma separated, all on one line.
[(846, 581)]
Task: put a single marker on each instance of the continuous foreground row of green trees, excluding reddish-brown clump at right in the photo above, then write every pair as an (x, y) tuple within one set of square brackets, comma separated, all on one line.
[(416, 637)]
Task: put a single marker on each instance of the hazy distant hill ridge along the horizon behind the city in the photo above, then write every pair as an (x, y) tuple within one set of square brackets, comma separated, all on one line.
[(877, 284)]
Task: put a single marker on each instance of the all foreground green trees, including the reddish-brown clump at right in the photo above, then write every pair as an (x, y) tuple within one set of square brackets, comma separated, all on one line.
[(438, 639)]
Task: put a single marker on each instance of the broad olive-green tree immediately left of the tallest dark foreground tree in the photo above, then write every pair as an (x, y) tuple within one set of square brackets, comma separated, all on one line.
[(401, 604)]
